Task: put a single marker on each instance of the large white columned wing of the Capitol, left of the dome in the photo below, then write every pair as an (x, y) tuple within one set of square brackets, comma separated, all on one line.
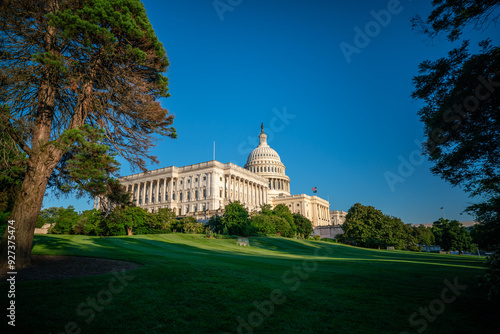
[(202, 187)]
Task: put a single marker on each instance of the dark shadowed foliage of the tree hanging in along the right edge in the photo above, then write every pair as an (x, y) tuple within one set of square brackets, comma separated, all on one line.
[(460, 92)]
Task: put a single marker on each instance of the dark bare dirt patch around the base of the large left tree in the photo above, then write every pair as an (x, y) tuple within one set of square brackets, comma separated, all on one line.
[(49, 267)]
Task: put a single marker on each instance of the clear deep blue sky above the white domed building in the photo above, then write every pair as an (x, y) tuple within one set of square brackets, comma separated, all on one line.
[(348, 123)]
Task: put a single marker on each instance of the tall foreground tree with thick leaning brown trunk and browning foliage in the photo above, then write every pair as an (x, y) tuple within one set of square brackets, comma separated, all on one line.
[(65, 64)]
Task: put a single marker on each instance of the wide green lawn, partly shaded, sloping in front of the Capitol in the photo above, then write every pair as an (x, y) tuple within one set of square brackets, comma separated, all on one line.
[(190, 284)]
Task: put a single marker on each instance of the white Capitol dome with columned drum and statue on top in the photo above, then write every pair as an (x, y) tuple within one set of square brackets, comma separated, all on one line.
[(266, 162)]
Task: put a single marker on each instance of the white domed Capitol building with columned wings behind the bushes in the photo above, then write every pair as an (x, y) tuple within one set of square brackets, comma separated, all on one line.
[(204, 189)]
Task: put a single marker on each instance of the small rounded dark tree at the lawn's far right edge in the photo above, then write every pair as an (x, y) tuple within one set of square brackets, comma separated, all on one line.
[(451, 235)]
